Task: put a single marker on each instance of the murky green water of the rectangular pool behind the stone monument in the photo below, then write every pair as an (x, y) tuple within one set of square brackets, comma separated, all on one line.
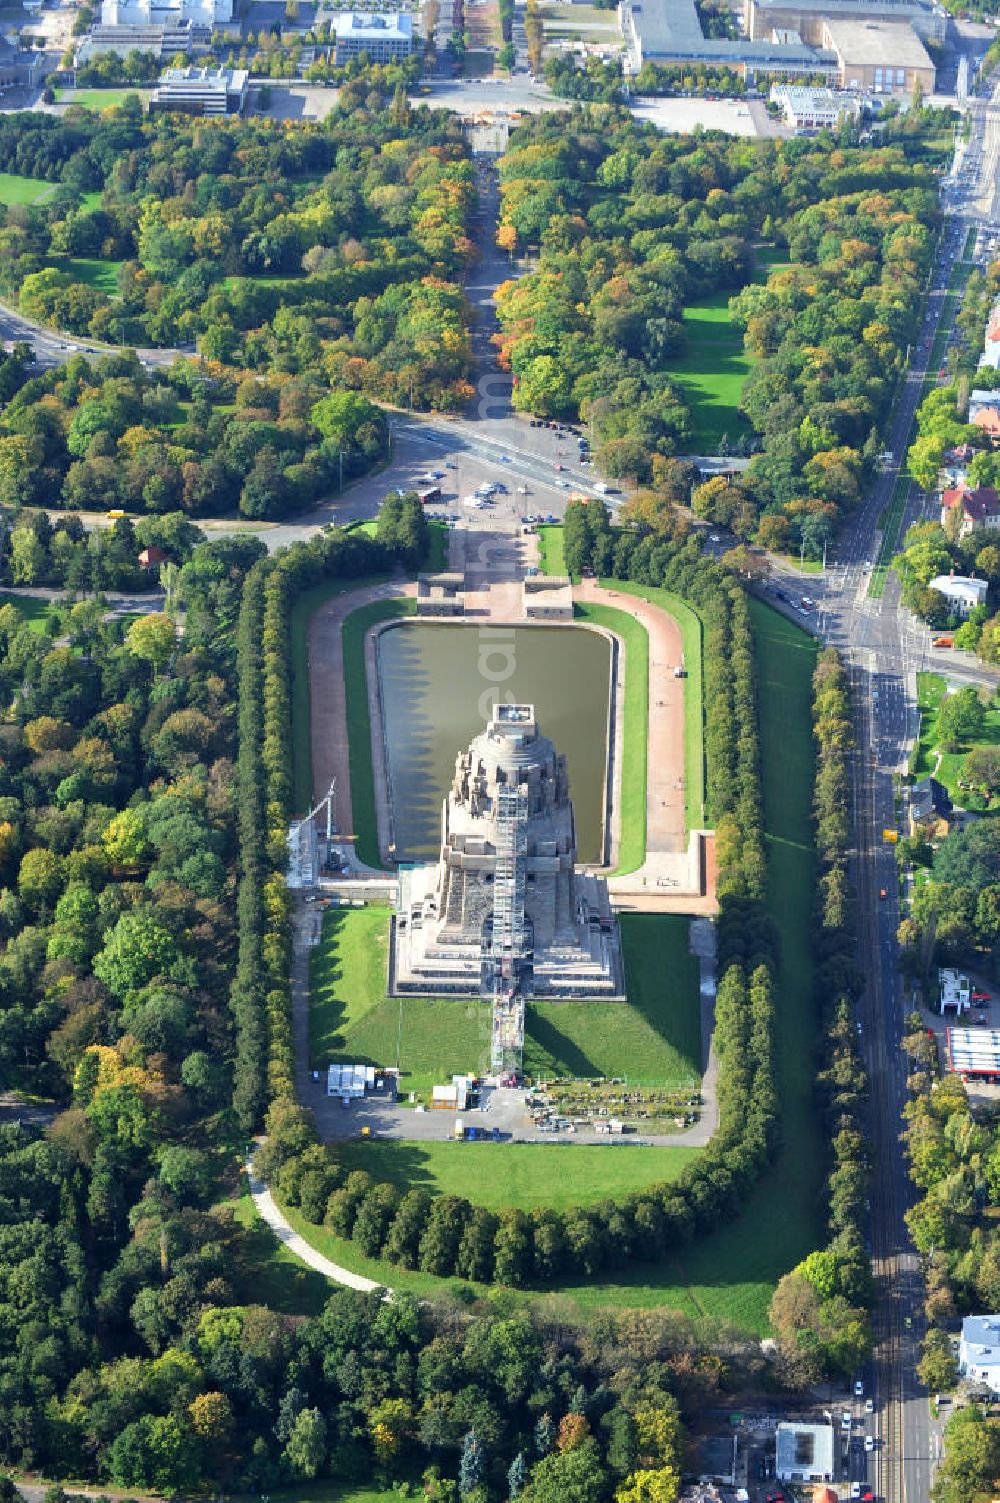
[(437, 685)]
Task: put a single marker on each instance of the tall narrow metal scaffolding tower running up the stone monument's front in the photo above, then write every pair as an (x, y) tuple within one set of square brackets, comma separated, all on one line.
[(508, 934)]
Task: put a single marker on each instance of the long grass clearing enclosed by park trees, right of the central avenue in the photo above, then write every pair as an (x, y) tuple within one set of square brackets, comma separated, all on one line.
[(712, 373)]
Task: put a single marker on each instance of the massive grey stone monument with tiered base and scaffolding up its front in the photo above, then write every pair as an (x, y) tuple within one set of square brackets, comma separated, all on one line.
[(505, 913)]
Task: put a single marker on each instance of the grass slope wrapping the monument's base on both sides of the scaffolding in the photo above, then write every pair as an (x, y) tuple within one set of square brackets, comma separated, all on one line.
[(653, 1039)]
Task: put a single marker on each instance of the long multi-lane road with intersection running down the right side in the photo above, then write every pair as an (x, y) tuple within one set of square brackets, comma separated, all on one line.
[(885, 649)]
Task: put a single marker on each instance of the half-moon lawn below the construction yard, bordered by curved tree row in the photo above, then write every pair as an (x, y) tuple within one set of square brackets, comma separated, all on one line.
[(518, 1175)]
